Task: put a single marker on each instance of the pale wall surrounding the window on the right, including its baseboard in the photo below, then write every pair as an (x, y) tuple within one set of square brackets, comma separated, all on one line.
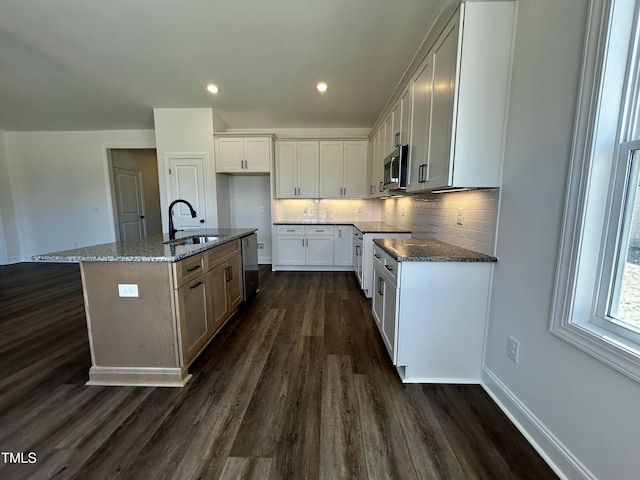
[(585, 415)]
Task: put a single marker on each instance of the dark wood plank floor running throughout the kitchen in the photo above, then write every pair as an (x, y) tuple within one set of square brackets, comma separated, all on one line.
[(297, 386)]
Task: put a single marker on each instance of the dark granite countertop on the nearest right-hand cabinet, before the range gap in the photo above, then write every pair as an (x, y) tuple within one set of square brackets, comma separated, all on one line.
[(429, 250)]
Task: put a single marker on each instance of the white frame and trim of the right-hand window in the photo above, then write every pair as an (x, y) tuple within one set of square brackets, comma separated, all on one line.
[(593, 156)]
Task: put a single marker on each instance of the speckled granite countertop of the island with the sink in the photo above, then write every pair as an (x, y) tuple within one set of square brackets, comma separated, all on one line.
[(149, 249)]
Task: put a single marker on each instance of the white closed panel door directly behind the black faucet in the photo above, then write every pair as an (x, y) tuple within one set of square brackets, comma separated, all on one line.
[(186, 175)]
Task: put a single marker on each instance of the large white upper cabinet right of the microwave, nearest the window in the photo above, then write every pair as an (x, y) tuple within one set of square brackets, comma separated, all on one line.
[(460, 100)]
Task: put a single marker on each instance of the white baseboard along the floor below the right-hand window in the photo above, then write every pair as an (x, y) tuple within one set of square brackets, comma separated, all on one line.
[(559, 458)]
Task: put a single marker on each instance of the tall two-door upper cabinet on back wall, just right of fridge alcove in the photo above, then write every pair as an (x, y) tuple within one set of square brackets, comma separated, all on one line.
[(296, 169)]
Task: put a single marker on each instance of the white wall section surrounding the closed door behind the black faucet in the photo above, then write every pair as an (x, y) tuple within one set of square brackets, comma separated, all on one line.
[(186, 130)]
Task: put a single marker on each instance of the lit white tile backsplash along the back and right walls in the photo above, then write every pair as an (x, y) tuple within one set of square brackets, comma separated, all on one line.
[(429, 215)]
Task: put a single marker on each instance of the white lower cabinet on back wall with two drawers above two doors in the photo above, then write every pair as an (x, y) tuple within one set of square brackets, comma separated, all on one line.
[(298, 245)]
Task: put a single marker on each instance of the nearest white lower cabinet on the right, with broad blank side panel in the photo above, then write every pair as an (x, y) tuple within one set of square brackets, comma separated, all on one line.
[(432, 317)]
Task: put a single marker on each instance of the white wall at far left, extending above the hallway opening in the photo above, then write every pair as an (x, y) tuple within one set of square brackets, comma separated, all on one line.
[(60, 186)]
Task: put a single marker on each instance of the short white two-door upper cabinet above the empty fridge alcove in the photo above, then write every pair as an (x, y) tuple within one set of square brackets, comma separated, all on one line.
[(243, 154)]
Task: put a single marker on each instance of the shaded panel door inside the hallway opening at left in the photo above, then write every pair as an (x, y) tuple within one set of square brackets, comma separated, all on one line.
[(130, 203)]
